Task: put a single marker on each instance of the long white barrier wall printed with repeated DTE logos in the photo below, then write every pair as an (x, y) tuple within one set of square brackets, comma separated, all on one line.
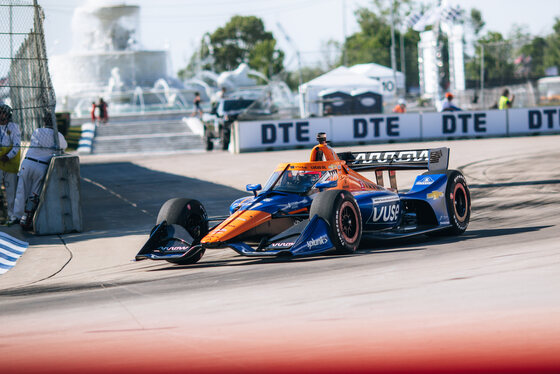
[(382, 128)]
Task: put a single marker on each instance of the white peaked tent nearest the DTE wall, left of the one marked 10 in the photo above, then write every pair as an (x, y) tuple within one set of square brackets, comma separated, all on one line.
[(340, 79)]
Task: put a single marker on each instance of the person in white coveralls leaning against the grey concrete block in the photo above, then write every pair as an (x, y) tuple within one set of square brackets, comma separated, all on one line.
[(35, 165)]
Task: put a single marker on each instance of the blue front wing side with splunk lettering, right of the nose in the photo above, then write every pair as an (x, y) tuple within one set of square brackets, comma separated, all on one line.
[(308, 237)]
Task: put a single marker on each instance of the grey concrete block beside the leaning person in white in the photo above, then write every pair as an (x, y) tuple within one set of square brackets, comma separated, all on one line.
[(59, 209)]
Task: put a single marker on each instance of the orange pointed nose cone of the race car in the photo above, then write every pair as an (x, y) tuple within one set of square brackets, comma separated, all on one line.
[(236, 224)]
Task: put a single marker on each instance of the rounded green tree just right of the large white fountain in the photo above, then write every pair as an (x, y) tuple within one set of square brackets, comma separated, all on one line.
[(242, 40)]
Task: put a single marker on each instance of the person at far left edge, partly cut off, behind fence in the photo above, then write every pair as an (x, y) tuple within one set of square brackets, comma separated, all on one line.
[(9, 159)]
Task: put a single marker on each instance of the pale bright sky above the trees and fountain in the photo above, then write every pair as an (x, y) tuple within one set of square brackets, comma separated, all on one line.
[(178, 25)]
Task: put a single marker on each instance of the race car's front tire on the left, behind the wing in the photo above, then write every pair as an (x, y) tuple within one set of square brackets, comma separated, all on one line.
[(190, 214)]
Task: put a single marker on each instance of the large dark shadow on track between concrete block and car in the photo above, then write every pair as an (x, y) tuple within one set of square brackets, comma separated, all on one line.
[(121, 198)]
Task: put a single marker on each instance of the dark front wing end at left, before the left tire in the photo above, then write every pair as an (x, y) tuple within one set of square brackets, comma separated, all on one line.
[(168, 242)]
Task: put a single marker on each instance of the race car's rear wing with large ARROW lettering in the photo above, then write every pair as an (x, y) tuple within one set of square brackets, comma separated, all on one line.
[(432, 159)]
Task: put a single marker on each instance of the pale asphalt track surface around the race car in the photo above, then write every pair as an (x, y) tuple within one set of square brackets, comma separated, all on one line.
[(487, 301)]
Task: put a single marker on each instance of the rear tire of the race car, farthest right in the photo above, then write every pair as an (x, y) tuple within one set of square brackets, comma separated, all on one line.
[(458, 201)]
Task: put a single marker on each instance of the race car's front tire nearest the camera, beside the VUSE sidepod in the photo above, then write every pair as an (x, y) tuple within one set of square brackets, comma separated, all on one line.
[(340, 210)]
